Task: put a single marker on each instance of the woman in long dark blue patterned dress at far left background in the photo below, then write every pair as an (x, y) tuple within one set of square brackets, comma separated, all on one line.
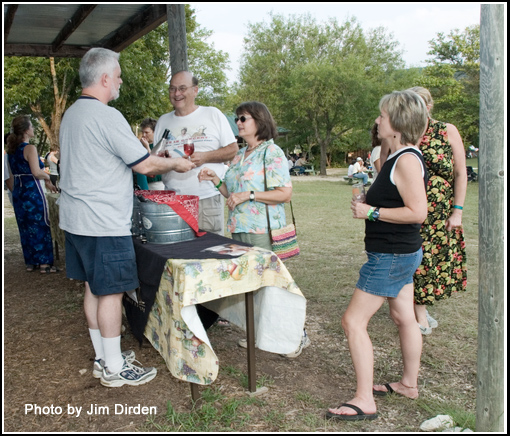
[(29, 200)]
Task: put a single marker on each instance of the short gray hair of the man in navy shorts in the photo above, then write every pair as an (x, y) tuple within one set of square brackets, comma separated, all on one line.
[(96, 62)]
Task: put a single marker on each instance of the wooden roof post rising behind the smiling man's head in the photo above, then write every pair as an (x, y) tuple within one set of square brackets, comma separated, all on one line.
[(177, 37)]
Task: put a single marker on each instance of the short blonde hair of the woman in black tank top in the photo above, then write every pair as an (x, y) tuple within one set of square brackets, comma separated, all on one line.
[(407, 115)]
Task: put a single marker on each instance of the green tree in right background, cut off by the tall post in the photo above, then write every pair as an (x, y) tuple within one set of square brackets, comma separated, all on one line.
[(453, 78)]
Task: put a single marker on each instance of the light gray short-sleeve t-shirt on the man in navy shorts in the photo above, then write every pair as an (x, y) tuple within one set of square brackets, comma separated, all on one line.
[(97, 150)]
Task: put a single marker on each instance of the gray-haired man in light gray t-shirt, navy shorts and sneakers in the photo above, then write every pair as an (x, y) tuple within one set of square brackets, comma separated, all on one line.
[(98, 153)]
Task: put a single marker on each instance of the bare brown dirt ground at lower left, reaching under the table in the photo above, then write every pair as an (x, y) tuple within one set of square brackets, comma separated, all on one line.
[(48, 361)]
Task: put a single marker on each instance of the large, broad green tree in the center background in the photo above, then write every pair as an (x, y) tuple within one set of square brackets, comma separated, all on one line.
[(323, 81)]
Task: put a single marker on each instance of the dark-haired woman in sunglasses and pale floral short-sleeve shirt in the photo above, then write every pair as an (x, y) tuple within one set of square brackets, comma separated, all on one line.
[(243, 185)]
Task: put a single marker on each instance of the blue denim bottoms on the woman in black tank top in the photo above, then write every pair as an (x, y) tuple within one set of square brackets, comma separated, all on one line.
[(385, 274)]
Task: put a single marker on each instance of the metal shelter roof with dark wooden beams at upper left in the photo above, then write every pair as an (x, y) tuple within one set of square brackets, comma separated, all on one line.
[(70, 30)]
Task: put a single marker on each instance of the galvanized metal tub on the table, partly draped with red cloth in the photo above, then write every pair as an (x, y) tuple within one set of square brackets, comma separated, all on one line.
[(162, 225)]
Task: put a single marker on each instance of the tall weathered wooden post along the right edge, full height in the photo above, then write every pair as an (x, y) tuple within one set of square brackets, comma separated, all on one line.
[(491, 366)]
